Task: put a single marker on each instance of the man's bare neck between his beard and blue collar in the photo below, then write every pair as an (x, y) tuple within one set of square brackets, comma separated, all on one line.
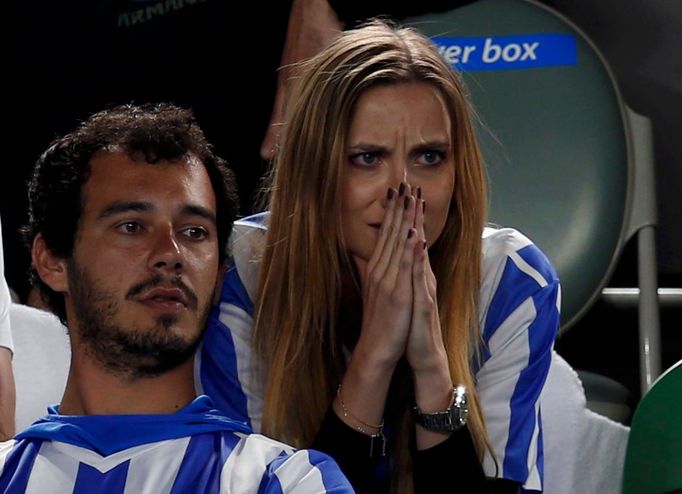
[(92, 390)]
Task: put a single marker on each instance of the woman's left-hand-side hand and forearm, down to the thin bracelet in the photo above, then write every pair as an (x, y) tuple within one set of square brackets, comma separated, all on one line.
[(386, 316)]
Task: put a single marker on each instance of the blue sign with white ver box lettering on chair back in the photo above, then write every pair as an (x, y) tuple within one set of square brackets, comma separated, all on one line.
[(508, 52)]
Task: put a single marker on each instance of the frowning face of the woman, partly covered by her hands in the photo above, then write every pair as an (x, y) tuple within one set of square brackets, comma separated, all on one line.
[(399, 133)]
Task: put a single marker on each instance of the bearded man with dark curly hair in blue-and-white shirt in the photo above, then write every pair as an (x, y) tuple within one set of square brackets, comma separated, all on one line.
[(129, 218)]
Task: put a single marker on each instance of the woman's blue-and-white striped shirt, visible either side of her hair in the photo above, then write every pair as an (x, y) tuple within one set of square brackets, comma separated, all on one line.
[(518, 316)]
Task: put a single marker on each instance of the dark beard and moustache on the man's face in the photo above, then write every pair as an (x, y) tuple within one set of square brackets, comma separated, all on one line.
[(131, 352)]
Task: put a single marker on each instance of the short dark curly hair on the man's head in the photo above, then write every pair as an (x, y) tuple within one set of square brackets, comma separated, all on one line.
[(160, 132)]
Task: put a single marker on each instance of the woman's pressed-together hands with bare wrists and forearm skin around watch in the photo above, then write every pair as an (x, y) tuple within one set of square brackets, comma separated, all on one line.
[(399, 318)]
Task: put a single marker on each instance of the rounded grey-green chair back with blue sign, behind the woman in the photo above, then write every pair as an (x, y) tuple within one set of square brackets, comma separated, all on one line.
[(553, 132)]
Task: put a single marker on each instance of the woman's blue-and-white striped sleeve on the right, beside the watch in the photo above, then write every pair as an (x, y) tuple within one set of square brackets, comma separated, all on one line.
[(519, 318)]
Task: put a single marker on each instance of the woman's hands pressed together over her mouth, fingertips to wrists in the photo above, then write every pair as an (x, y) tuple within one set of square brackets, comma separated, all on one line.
[(400, 307)]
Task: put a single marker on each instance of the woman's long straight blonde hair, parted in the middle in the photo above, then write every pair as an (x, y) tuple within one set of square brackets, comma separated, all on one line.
[(300, 286)]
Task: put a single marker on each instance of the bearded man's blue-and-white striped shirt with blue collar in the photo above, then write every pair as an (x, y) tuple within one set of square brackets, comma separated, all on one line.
[(196, 450)]
